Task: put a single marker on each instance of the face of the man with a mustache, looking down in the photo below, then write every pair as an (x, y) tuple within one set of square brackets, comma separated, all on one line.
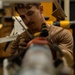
[(32, 17)]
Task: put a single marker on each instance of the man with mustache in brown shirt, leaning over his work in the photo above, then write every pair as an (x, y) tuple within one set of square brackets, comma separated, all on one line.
[(32, 16)]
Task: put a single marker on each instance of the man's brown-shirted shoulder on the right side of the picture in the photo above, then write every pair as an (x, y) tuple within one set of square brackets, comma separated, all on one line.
[(61, 36)]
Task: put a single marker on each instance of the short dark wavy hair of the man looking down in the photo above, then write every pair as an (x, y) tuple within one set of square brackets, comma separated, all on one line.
[(25, 5)]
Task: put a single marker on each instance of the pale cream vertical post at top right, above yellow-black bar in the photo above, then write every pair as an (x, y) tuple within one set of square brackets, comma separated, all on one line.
[(67, 9)]
